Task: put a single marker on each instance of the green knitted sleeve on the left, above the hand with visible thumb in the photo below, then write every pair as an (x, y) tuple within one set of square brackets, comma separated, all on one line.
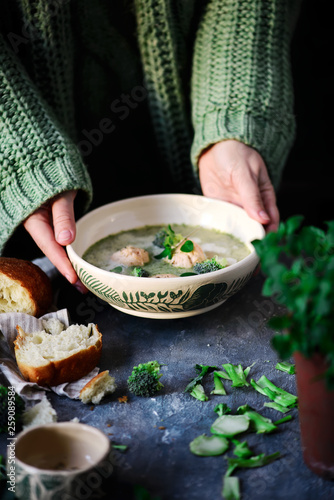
[(37, 159)]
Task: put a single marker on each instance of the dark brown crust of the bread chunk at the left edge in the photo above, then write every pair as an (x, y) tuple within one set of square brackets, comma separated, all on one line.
[(33, 279)]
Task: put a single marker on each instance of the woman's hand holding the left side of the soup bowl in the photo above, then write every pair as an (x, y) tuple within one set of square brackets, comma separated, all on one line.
[(52, 226)]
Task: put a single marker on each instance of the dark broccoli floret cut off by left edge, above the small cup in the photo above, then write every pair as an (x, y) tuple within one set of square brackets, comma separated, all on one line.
[(11, 407)]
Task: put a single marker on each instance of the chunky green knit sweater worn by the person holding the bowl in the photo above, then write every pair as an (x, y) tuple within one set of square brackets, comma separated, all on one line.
[(208, 70)]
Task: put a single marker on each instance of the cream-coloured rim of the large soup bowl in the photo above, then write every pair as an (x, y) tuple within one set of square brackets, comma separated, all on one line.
[(252, 256)]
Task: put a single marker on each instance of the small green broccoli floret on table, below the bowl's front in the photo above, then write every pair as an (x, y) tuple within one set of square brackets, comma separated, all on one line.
[(144, 379)]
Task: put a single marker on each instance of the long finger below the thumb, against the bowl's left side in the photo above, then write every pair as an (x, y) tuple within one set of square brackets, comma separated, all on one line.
[(39, 228)]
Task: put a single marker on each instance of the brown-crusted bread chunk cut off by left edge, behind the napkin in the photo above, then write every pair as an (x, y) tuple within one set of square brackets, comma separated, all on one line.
[(24, 287)]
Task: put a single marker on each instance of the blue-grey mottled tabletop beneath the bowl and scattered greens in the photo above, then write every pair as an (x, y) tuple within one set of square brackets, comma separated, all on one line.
[(157, 431)]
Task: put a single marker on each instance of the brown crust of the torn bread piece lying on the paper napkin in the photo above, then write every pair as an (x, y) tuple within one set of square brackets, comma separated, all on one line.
[(63, 371)]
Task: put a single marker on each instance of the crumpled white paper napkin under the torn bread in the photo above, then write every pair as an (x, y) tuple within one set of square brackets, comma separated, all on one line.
[(30, 392)]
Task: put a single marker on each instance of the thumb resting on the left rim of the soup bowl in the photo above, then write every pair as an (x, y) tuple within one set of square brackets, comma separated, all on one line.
[(63, 218)]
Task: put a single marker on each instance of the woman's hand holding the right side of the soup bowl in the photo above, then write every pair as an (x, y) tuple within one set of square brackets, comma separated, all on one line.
[(234, 172)]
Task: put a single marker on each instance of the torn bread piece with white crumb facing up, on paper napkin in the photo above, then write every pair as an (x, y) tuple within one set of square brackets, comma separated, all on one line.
[(55, 356)]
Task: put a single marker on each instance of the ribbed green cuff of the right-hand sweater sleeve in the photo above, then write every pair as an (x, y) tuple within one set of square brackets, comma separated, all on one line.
[(271, 138)]
